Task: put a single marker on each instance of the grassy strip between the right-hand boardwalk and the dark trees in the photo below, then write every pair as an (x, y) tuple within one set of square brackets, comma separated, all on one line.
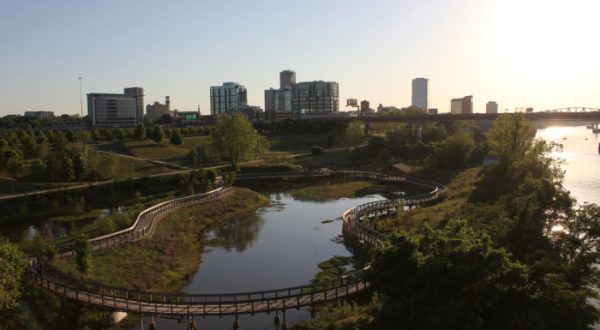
[(457, 193)]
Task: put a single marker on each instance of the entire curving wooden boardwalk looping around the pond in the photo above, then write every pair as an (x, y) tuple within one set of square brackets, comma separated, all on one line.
[(175, 305)]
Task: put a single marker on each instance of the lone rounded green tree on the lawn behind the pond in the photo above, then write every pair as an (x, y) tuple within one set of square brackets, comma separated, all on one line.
[(234, 137)]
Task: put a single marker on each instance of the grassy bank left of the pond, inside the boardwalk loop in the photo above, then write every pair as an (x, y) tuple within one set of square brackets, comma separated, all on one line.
[(167, 261)]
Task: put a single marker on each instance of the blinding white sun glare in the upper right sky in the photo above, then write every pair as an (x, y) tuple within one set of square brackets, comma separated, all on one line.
[(543, 42)]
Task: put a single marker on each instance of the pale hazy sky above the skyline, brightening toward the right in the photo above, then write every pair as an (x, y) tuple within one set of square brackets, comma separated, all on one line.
[(539, 53)]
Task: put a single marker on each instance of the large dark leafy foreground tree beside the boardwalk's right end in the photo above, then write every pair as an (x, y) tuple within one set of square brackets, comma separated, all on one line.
[(448, 278)]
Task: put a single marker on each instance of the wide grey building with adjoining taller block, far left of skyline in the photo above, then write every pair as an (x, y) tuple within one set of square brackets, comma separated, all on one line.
[(116, 110)]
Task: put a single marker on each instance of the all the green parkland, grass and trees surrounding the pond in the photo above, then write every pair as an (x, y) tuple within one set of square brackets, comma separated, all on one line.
[(485, 254)]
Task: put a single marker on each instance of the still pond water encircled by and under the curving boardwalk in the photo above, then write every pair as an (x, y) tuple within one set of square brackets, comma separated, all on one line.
[(278, 246)]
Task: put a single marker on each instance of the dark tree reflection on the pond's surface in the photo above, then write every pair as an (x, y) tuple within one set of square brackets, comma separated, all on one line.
[(239, 234)]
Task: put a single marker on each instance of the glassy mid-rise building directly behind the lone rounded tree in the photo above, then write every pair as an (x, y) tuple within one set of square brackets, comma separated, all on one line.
[(229, 97)]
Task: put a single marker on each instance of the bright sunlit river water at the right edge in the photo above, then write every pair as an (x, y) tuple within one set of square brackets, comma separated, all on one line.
[(581, 160)]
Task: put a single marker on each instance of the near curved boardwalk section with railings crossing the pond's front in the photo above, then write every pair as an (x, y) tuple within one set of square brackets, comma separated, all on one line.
[(64, 285)]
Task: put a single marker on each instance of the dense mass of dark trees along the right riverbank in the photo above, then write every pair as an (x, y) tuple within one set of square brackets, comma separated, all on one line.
[(499, 262)]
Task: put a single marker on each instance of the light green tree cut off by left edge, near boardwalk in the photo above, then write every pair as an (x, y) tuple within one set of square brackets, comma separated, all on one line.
[(12, 267)]
